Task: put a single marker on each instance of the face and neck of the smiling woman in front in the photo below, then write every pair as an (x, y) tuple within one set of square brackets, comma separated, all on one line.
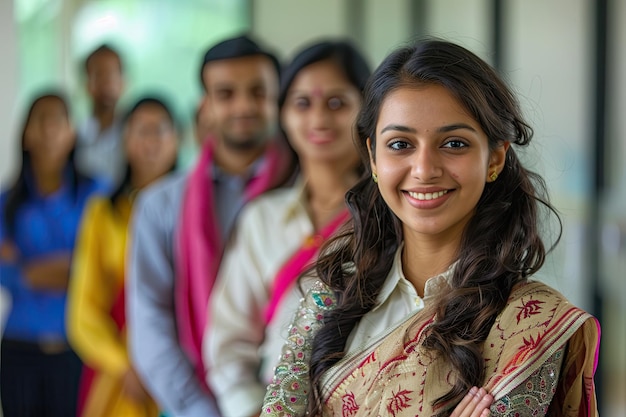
[(432, 160)]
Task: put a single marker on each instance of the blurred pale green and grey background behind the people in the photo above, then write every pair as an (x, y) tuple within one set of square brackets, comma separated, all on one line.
[(565, 58)]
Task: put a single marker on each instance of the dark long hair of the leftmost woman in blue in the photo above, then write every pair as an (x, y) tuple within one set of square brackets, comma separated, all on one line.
[(20, 191)]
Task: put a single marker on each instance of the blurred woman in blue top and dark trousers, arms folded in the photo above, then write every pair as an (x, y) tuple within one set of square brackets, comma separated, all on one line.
[(39, 216)]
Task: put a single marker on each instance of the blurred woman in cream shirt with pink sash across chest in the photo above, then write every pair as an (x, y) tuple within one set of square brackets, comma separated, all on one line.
[(279, 233)]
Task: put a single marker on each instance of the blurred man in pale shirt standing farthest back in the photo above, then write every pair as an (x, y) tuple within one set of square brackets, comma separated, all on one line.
[(100, 151)]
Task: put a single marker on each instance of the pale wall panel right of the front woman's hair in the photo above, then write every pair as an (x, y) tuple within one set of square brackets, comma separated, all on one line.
[(550, 63)]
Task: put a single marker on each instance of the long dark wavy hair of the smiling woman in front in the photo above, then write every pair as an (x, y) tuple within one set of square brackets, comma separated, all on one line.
[(500, 247)]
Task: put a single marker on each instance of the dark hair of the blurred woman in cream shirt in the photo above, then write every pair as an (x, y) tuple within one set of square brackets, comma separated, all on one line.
[(347, 57)]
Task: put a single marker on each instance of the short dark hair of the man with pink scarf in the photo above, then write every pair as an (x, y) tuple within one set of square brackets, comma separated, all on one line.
[(236, 47)]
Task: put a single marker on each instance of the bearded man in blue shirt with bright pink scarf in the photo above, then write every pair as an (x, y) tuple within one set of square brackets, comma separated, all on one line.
[(180, 226)]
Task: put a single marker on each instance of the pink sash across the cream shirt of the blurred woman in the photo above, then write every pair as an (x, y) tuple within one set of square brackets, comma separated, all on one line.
[(299, 261)]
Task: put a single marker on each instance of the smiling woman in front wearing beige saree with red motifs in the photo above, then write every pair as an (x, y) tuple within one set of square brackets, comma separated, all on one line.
[(425, 304)]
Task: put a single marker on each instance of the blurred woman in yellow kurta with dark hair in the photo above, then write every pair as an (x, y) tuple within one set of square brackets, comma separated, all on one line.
[(95, 317)]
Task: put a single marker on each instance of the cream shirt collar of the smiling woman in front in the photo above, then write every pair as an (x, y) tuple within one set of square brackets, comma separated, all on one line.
[(396, 278)]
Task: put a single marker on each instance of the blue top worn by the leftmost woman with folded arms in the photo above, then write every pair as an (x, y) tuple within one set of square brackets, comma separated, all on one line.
[(44, 225)]
